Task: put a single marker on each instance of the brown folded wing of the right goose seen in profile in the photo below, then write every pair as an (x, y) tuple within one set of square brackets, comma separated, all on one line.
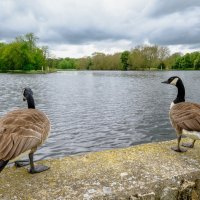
[(186, 116)]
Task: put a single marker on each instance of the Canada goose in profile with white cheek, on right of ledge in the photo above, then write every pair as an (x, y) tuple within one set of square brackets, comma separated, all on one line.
[(184, 116)]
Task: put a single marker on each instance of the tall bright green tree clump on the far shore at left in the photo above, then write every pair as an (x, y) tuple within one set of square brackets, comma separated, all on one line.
[(22, 54)]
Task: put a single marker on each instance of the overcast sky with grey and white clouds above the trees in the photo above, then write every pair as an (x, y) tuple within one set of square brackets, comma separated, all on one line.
[(76, 28)]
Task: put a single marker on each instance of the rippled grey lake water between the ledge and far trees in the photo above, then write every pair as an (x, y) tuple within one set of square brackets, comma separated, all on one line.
[(98, 110)]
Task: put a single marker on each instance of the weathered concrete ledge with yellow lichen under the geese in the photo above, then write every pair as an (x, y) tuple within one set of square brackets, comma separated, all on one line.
[(144, 172)]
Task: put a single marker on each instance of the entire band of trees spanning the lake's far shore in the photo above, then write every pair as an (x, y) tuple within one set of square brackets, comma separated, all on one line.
[(23, 55)]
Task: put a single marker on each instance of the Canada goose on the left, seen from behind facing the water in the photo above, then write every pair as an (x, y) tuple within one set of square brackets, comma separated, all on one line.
[(22, 131)]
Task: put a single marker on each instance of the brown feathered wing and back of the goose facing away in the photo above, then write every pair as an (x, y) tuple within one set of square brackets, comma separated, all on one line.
[(22, 130)]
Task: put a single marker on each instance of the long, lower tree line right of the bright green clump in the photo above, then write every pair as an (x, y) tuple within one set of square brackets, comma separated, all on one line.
[(143, 57)]
